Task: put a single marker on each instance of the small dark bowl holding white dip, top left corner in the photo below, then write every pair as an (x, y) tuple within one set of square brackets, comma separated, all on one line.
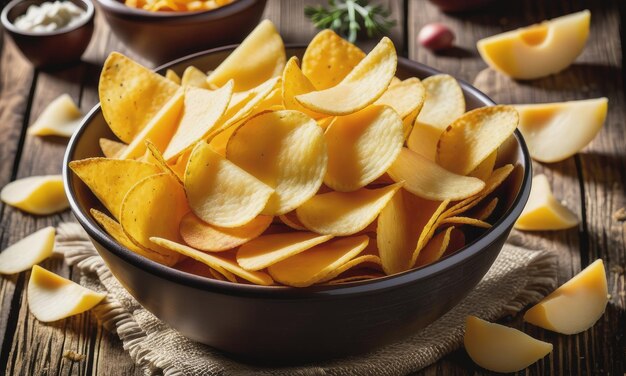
[(53, 48)]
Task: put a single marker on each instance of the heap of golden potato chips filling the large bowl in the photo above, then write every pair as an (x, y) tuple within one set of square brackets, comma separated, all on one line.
[(274, 171)]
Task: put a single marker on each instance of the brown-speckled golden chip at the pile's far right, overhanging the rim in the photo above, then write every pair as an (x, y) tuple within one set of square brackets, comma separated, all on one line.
[(470, 139)]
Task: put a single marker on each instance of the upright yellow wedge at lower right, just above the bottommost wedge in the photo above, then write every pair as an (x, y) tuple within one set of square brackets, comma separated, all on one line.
[(576, 305)]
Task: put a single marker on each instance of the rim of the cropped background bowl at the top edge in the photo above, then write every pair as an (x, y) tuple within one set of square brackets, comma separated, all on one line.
[(118, 7)]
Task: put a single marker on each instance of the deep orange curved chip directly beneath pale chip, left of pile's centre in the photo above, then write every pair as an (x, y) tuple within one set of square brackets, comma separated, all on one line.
[(205, 237)]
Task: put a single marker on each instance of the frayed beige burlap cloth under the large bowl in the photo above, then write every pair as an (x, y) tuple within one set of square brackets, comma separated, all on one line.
[(517, 278)]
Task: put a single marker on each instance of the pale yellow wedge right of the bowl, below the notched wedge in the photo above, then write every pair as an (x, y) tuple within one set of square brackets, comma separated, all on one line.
[(556, 131)]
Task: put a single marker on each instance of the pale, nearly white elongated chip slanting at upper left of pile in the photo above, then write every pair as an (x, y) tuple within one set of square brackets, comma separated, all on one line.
[(201, 113)]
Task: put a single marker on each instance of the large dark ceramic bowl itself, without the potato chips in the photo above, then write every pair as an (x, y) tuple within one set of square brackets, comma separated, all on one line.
[(282, 324)]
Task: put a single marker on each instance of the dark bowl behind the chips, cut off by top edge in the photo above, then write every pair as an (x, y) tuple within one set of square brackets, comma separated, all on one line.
[(163, 36)]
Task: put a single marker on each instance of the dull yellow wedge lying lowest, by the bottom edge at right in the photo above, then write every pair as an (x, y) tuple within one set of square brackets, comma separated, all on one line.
[(500, 349)]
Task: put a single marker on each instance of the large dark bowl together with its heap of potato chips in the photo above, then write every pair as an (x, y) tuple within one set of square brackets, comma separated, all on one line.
[(294, 203)]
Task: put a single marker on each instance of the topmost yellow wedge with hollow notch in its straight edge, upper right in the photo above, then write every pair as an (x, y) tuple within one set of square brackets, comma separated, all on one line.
[(538, 50)]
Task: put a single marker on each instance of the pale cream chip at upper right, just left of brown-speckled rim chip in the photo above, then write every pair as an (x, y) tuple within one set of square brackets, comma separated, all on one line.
[(444, 101)]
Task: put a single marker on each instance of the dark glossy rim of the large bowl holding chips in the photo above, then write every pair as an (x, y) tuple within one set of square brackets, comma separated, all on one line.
[(492, 235)]
